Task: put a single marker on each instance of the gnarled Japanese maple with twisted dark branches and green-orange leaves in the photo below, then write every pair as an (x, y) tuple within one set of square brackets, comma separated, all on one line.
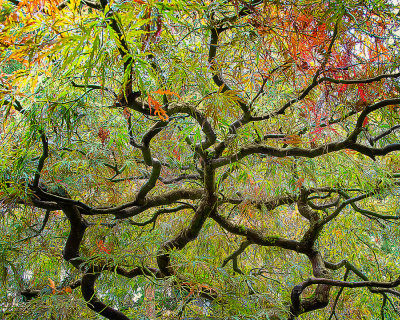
[(246, 87)]
